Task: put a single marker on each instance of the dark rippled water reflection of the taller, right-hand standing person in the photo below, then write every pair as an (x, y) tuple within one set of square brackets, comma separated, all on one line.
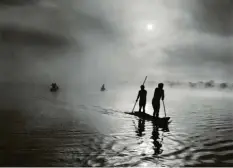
[(155, 137)]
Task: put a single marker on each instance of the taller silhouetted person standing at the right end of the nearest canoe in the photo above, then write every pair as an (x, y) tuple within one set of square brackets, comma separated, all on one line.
[(158, 94)]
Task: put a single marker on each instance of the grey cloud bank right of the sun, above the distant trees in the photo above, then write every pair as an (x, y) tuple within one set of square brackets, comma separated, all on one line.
[(198, 60)]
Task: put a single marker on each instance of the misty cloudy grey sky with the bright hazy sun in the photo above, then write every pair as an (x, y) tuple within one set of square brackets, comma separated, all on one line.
[(97, 41)]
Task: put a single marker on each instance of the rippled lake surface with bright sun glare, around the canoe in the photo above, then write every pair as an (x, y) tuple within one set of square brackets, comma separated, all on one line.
[(89, 128)]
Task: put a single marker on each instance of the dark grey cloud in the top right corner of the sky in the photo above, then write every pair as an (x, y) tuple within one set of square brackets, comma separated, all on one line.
[(213, 16)]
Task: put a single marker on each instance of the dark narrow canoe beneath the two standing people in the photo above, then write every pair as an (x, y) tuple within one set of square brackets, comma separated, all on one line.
[(164, 120)]
